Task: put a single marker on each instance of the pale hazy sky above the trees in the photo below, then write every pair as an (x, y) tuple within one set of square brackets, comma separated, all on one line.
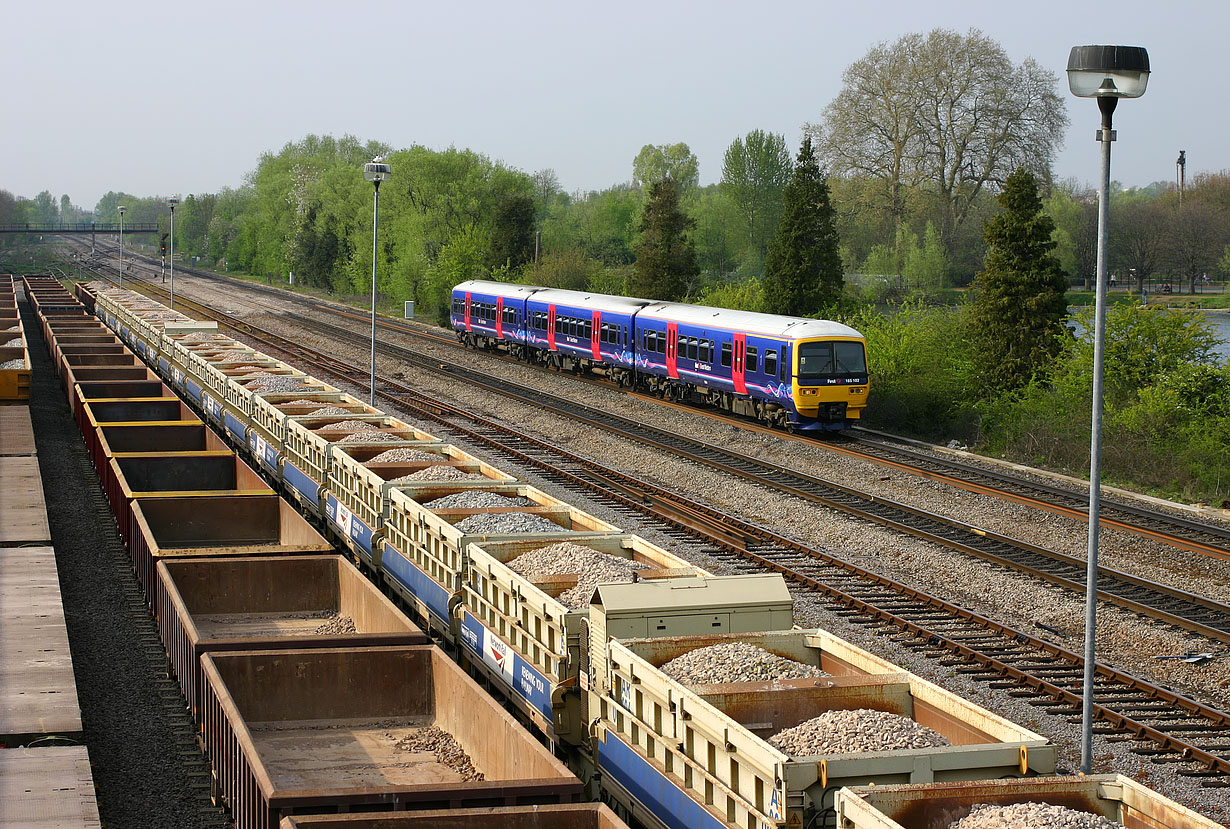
[(162, 98)]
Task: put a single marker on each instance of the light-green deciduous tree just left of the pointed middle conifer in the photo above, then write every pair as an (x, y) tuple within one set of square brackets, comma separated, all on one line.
[(755, 175)]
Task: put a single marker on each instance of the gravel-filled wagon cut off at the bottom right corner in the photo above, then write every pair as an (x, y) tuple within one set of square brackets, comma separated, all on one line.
[(1089, 803)]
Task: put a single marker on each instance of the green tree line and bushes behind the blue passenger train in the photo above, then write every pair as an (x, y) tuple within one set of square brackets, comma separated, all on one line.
[(930, 170)]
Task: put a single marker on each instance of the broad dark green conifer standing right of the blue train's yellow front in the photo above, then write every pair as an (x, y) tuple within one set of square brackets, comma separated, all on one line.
[(1019, 311)]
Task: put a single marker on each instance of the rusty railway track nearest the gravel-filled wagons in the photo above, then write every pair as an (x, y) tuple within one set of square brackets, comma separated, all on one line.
[(1154, 721)]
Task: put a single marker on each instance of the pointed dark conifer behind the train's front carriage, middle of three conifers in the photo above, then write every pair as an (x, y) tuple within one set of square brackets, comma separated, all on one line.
[(804, 270)]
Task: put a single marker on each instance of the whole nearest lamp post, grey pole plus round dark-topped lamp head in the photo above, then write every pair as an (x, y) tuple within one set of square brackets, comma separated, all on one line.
[(1106, 73)]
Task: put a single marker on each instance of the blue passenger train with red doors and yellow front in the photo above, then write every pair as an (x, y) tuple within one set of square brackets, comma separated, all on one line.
[(787, 372)]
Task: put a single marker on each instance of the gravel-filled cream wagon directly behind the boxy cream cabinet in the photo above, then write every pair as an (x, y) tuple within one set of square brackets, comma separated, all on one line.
[(526, 603)]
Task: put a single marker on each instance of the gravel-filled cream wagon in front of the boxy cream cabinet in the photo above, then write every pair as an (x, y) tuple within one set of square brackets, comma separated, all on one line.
[(777, 751)]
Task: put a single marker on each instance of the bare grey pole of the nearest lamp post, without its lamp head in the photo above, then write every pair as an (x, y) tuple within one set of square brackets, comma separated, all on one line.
[(1106, 104)]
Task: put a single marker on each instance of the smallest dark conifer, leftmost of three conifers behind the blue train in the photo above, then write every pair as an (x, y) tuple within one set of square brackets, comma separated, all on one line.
[(666, 259)]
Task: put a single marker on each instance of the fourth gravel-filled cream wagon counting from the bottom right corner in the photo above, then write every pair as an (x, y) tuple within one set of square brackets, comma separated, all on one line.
[(426, 547)]
